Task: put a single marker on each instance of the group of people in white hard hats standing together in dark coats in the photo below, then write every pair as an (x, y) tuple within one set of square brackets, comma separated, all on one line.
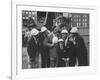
[(59, 47)]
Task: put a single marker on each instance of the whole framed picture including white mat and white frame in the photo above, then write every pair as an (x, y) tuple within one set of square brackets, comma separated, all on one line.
[(51, 40)]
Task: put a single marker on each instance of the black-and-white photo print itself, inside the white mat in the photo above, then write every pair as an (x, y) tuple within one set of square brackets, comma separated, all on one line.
[(55, 39)]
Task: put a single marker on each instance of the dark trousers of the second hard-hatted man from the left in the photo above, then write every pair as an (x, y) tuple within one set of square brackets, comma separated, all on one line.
[(45, 59)]
